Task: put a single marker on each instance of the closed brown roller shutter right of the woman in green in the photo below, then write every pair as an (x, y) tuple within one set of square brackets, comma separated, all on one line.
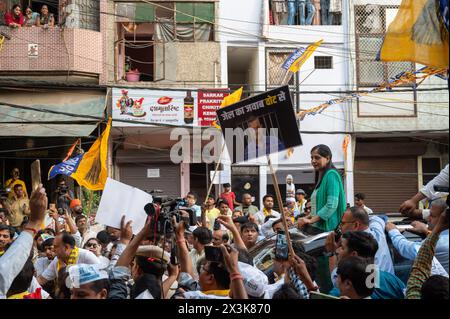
[(387, 182)]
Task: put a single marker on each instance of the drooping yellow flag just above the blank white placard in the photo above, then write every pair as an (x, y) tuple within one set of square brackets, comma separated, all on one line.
[(92, 170)]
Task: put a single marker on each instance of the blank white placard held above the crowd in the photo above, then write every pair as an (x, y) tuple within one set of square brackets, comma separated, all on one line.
[(119, 199)]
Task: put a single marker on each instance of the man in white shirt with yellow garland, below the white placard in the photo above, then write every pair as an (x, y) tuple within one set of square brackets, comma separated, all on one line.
[(66, 254)]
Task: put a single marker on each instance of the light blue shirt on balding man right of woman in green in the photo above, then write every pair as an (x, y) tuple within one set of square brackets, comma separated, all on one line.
[(383, 256)]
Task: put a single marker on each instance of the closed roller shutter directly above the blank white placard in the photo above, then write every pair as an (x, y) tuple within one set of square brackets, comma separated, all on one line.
[(168, 181)]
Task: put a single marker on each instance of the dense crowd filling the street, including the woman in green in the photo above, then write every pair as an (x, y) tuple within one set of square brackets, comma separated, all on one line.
[(51, 249)]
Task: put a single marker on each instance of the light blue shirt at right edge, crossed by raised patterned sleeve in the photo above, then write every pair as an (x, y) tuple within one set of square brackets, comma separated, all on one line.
[(409, 249)]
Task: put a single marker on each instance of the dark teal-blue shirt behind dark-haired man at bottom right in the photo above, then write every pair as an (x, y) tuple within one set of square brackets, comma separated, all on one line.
[(388, 286)]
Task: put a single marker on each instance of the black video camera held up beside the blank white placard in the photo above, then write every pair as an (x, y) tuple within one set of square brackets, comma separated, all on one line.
[(163, 209)]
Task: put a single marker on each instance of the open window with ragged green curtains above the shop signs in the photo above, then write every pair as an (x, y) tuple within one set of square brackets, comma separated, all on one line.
[(143, 28)]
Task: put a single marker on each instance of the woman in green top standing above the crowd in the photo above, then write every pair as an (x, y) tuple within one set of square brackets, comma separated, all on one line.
[(328, 202)]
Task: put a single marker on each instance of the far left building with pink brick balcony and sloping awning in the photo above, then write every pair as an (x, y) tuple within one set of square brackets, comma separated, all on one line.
[(50, 78)]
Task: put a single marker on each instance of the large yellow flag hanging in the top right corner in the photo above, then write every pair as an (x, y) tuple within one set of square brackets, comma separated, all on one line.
[(417, 34)]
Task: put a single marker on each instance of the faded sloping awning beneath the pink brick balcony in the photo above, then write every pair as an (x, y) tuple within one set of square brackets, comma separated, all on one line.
[(39, 114)]
